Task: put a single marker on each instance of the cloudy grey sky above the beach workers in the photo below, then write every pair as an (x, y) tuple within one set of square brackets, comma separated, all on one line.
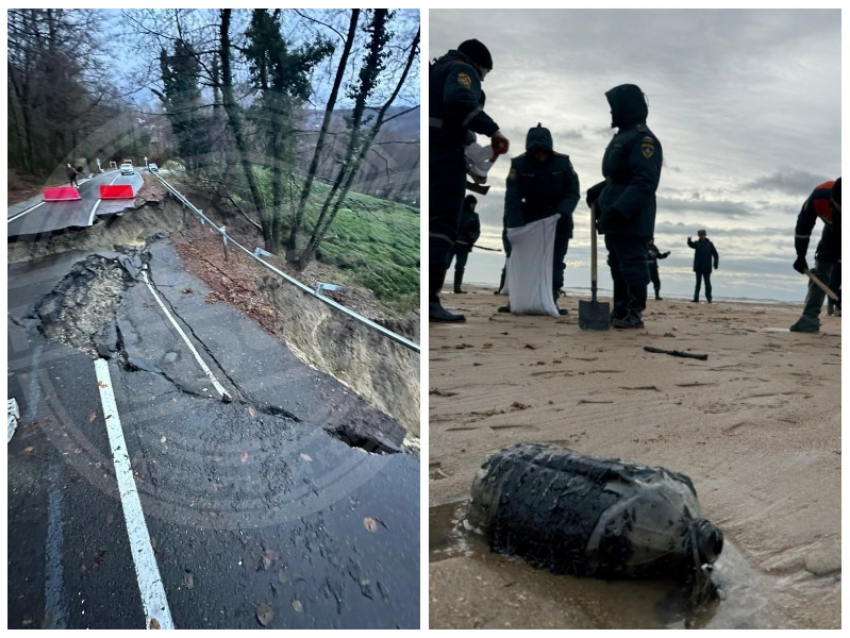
[(746, 103)]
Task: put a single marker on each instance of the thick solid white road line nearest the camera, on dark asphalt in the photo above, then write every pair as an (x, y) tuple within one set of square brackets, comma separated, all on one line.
[(147, 572)]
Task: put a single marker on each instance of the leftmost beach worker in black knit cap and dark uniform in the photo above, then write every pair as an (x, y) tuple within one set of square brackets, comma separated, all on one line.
[(455, 107)]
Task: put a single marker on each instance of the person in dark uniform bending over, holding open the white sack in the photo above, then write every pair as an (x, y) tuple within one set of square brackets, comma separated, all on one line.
[(542, 183)]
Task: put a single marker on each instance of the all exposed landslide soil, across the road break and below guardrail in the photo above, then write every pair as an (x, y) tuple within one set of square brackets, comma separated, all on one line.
[(385, 374)]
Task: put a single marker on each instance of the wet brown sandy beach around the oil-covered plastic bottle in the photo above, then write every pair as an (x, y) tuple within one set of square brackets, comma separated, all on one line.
[(757, 427)]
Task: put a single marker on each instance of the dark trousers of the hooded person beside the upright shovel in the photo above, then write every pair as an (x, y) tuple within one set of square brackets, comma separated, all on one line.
[(630, 272)]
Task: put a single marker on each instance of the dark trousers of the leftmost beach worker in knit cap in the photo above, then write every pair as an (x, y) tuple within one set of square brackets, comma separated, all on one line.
[(446, 190)]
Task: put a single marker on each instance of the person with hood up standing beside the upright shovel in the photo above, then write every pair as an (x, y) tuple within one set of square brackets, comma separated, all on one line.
[(625, 201)]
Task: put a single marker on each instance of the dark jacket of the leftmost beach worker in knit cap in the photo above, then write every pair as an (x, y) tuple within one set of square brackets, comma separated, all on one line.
[(456, 101)]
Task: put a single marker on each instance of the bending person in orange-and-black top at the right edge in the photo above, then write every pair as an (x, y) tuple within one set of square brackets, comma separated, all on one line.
[(824, 202)]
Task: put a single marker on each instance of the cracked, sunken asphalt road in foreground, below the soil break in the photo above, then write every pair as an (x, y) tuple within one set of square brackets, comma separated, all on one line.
[(257, 506)]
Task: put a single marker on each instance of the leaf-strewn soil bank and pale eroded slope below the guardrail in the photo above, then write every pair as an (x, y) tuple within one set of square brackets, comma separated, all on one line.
[(385, 374)]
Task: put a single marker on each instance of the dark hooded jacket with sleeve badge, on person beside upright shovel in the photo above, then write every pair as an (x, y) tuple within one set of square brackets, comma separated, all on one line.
[(631, 167)]
